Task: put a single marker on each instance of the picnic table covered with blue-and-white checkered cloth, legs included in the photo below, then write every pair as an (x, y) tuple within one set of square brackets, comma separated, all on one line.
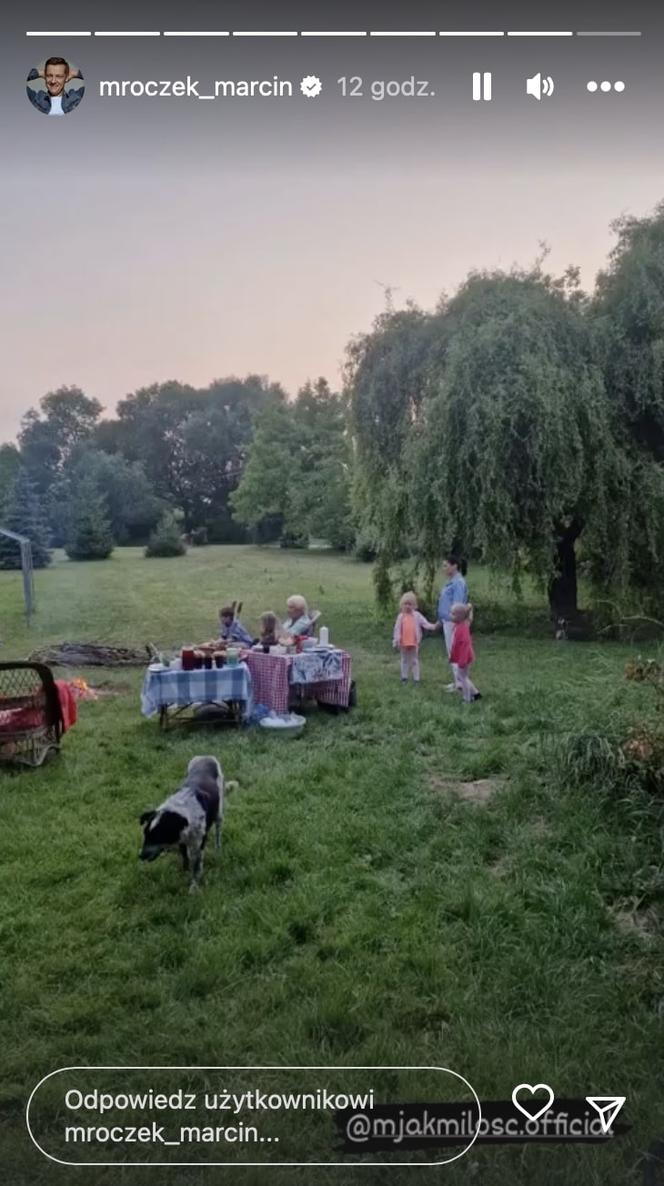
[(170, 692)]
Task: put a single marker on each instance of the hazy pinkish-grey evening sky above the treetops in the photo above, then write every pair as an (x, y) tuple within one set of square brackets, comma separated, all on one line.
[(156, 239)]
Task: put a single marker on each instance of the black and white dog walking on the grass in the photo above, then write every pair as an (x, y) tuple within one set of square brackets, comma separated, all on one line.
[(187, 818)]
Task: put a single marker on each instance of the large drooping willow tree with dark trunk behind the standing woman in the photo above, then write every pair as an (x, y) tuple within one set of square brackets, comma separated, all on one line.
[(487, 428)]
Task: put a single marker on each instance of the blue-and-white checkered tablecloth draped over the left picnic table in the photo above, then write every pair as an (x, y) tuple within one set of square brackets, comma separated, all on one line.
[(173, 686)]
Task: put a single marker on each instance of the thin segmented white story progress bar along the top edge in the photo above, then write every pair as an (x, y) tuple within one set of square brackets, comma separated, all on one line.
[(314, 33)]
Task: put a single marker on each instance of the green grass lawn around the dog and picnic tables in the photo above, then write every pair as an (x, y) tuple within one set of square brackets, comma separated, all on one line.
[(362, 913)]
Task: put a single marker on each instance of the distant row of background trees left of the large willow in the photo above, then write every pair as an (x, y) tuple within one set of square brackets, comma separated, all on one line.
[(170, 466)]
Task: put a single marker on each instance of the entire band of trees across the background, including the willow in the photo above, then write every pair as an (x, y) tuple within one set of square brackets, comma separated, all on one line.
[(521, 423)]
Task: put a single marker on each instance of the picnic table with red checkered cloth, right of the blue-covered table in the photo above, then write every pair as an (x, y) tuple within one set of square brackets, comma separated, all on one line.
[(323, 675)]
